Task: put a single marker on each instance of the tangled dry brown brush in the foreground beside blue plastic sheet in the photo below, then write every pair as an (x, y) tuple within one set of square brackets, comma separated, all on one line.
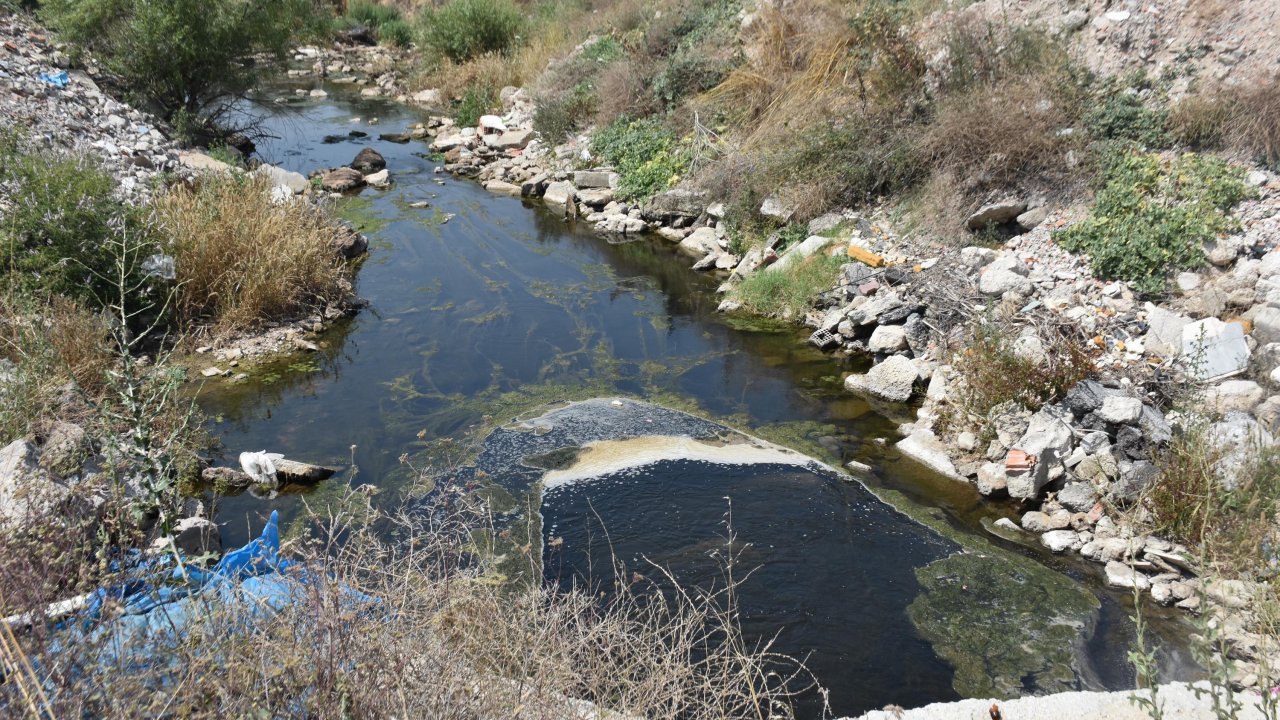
[(444, 640)]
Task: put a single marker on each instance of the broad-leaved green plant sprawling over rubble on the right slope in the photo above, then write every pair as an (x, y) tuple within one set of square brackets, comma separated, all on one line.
[(1153, 217)]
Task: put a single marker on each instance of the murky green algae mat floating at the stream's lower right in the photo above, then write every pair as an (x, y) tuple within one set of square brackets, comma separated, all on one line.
[(1008, 626)]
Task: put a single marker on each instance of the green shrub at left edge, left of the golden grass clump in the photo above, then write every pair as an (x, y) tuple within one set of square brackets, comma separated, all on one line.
[(56, 238)]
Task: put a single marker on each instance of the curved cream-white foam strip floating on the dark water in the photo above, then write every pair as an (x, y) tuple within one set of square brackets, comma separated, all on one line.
[(610, 457)]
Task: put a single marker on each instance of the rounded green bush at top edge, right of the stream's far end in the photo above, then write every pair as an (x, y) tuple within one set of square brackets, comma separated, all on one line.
[(467, 29)]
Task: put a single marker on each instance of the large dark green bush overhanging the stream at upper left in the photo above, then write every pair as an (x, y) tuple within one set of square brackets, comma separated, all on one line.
[(182, 57)]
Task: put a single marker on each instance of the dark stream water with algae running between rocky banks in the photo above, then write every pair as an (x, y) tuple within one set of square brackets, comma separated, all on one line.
[(486, 307)]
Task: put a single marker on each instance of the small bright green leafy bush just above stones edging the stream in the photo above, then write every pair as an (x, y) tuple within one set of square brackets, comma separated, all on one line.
[(646, 153)]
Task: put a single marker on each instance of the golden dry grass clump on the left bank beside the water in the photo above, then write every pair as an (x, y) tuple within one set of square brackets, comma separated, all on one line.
[(245, 262)]
